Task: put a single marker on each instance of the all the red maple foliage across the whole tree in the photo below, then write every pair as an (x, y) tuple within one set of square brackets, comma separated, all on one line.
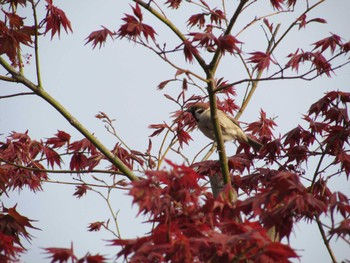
[(190, 225)]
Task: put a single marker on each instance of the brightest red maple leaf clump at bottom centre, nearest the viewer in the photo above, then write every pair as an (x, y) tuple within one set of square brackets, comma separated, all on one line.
[(192, 226)]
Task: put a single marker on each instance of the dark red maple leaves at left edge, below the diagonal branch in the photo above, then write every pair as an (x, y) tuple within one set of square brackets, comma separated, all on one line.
[(26, 163)]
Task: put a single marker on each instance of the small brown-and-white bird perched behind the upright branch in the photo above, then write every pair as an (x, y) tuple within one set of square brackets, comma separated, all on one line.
[(229, 127)]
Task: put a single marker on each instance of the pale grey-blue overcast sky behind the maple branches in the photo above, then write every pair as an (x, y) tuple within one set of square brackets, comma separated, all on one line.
[(121, 79)]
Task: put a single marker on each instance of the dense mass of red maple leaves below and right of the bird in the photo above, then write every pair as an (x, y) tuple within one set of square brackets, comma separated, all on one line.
[(191, 225)]
